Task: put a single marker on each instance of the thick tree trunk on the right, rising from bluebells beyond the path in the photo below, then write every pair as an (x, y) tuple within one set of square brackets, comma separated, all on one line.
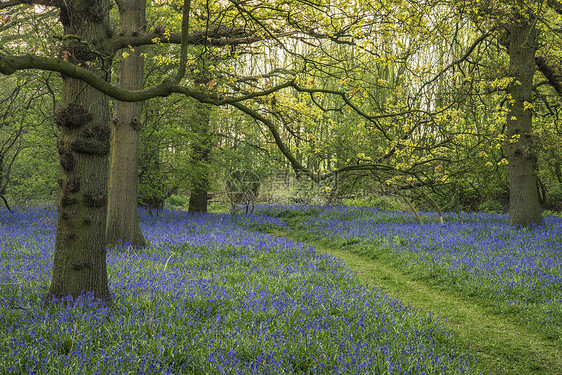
[(524, 208)]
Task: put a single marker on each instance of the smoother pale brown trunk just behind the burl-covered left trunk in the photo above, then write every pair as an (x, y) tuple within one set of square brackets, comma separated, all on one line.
[(122, 216)]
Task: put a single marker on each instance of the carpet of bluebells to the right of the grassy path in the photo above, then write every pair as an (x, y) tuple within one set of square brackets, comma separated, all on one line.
[(515, 270)]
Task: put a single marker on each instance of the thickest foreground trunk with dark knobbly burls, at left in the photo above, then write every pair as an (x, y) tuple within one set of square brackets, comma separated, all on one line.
[(79, 264)]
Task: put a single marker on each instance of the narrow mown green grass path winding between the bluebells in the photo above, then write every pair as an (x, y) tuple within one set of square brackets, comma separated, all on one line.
[(501, 346)]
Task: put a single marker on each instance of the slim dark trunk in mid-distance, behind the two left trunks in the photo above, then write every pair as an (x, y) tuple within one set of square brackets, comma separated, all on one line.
[(200, 158)]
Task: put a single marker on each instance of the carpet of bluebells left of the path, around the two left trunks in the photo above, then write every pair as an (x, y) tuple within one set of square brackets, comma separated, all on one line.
[(211, 295)]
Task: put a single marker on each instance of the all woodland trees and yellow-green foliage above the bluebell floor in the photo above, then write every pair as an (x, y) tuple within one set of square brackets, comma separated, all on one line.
[(440, 105)]
